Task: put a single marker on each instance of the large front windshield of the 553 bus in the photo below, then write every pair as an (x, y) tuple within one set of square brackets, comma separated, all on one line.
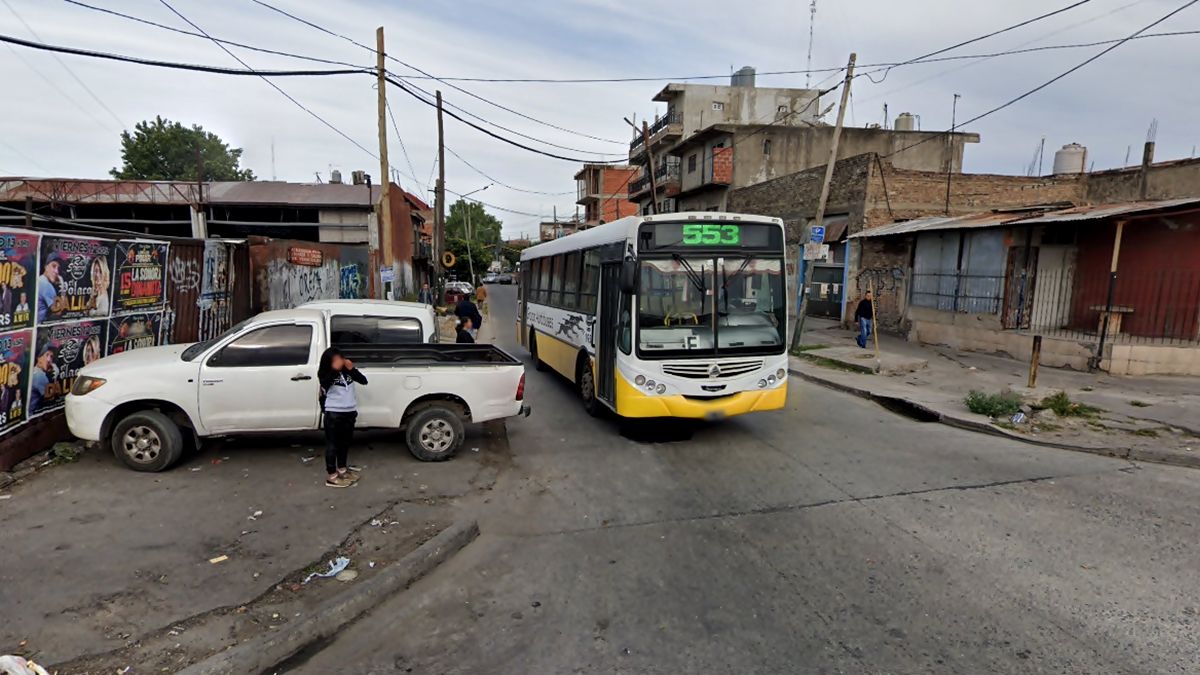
[(676, 306)]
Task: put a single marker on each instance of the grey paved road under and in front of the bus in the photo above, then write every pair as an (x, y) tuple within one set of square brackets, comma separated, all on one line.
[(835, 537)]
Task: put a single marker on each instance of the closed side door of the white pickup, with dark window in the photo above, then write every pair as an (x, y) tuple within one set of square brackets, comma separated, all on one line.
[(263, 380)]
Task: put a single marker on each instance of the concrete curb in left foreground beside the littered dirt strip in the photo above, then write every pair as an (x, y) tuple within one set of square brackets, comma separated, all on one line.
[(259, 655)]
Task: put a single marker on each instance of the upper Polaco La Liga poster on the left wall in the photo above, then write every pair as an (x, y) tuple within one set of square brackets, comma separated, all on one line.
[(75, 279)]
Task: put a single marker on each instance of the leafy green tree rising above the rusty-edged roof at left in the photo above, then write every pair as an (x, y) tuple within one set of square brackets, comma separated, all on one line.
[(166, 151)]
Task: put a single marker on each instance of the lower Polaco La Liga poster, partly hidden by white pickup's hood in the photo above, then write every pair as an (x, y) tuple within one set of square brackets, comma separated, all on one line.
[(62, 353)]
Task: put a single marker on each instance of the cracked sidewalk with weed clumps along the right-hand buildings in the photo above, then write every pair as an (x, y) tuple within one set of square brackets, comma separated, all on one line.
[(1142, 419)]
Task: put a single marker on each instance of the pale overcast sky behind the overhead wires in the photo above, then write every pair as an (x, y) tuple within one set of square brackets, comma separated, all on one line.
[(51, 126)]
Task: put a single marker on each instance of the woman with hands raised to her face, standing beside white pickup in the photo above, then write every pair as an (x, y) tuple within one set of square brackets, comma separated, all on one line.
[(340, 410)]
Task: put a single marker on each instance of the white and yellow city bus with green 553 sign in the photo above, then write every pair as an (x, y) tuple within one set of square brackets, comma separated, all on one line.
[(675, 315)]
